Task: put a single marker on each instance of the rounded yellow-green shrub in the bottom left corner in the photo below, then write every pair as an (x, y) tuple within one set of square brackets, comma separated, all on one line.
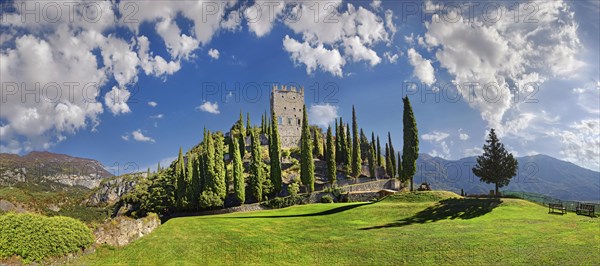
[(34, 237)]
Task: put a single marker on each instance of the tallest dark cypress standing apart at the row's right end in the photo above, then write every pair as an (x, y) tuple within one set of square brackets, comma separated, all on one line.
[(410, 151)]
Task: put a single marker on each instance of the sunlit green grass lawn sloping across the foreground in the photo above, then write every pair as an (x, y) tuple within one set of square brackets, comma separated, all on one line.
[(411, 228)]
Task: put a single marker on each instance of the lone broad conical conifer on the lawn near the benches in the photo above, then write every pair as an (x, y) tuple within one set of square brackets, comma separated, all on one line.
[(496, 165)]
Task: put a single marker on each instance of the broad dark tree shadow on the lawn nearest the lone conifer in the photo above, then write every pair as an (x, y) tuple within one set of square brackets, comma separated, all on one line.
[(447, 209)]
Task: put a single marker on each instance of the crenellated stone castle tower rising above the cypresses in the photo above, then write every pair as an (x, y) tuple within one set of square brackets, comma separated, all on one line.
[(287, 105)]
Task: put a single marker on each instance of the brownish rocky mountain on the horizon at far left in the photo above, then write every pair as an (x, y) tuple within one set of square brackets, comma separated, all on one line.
[(47, 167)]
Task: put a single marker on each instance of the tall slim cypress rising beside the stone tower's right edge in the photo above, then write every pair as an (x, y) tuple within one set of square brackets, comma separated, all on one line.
[(307, 167)]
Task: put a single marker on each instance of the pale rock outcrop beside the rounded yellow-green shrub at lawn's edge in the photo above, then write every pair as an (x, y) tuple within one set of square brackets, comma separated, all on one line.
[(123, 230)]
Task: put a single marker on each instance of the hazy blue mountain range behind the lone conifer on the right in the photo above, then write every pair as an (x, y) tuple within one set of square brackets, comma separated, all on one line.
[(537, 174)]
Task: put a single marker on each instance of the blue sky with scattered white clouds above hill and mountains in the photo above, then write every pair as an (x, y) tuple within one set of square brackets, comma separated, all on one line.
[(155, 66)]
